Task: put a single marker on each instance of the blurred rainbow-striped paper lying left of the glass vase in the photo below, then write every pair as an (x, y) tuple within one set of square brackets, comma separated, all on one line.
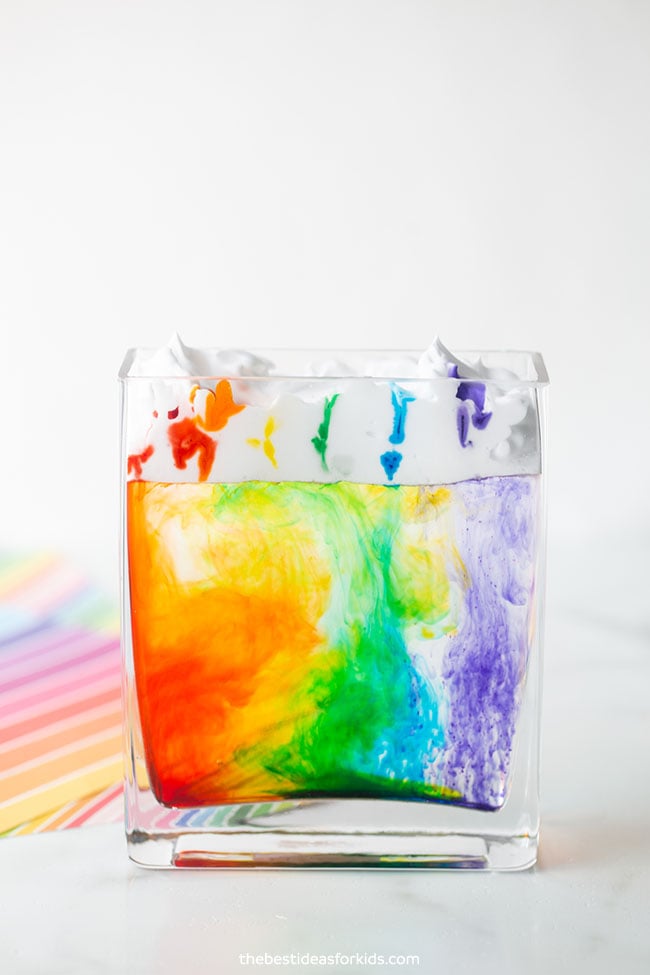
[(60, 720)]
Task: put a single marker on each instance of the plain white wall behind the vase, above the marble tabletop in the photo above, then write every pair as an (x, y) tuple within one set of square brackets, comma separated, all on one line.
[(326, 173)]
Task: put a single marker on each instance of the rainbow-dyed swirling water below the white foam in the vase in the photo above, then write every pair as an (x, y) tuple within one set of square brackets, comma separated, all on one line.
[(330, 640)]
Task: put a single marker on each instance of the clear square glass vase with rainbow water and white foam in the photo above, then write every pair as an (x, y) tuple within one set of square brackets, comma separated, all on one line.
[(332, 607)]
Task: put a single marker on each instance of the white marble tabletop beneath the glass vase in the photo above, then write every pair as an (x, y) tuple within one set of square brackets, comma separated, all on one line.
[(71, 902)]
